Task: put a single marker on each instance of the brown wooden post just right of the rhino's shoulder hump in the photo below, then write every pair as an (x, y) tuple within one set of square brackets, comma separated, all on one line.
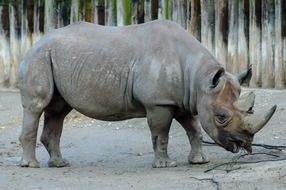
[(194, 18)]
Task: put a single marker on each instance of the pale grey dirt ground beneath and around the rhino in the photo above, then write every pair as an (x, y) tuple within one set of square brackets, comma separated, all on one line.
[(118, 155)]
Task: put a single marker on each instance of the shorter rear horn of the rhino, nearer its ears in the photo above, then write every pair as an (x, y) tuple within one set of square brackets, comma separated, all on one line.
[(245, 102)]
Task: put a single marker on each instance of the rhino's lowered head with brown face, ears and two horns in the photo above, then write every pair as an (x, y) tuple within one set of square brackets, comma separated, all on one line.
[(226, 116)]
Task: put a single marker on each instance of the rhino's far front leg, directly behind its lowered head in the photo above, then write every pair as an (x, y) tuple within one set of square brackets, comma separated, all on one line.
[(193, 130)]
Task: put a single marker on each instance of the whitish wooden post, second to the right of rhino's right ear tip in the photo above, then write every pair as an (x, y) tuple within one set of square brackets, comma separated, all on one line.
[(267, 42)]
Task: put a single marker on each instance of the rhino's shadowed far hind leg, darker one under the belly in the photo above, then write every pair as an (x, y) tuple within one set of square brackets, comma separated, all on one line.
[(54, 115)]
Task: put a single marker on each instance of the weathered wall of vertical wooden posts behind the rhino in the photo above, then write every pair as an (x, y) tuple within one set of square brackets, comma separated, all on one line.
[(239, 33)]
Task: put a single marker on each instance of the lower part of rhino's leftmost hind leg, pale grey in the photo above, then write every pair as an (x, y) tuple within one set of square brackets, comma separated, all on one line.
[(28, 138)]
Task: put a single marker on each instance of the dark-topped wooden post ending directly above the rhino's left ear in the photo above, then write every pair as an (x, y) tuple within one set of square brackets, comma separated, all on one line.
[(221, 31)]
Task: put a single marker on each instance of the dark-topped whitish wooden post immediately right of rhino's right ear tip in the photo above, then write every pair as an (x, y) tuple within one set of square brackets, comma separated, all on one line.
[(255, 42)]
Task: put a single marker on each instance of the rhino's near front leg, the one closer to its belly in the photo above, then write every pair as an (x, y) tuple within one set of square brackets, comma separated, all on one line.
[(159, 120)]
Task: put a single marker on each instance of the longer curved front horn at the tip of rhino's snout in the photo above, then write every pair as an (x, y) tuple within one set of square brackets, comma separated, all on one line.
[(255, 122)]
